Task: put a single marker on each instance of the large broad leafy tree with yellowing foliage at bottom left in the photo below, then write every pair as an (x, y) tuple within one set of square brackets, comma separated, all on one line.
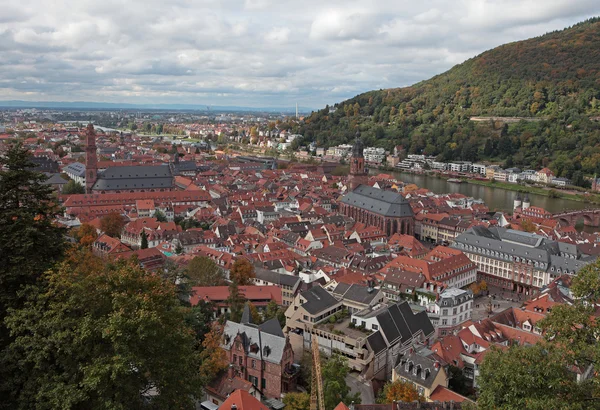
[(103, 336)]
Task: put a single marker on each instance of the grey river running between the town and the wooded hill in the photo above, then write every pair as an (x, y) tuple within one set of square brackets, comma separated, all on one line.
[(495, 198)]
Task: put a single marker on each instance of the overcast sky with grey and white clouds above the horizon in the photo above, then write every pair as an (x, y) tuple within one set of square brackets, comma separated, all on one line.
[(251, 52)]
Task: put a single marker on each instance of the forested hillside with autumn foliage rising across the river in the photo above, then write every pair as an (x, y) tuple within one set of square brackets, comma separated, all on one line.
[(554, 78)]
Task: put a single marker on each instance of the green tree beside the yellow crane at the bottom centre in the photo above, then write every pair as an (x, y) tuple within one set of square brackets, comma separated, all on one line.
[(334, 372)]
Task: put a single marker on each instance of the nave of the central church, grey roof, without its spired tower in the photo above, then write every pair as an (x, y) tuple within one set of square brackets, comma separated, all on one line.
[(387, 210)]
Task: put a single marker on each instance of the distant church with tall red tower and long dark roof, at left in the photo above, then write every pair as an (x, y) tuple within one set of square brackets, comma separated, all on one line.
[(143, 178)]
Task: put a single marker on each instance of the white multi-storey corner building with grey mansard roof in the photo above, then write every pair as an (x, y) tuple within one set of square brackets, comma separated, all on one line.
[(453, 307)]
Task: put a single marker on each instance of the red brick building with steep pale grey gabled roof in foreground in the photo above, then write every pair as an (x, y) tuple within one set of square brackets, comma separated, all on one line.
[(261, 354)]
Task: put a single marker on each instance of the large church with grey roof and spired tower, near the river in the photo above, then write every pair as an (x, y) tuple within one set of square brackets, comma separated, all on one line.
[(387, 210)]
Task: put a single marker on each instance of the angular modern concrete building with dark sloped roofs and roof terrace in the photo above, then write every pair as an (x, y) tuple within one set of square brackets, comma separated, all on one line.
[(371, 338)]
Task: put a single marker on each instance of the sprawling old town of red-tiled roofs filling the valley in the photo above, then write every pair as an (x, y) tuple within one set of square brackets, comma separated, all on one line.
[(409, 287)]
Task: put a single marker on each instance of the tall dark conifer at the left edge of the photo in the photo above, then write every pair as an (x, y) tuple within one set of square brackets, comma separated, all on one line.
[(30, 242)]
